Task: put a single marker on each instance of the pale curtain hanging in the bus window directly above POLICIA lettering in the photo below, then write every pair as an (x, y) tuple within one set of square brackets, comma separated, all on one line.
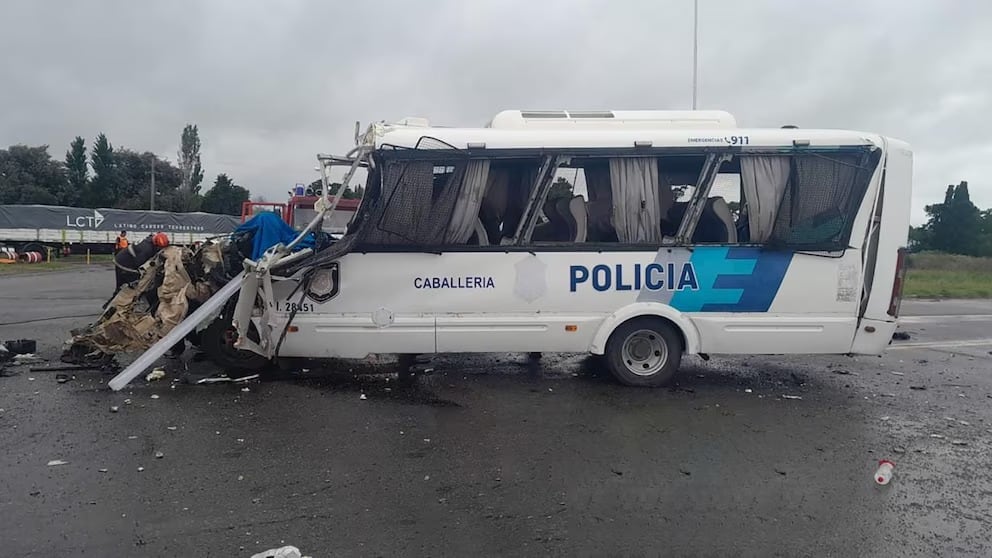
[(636, 204)]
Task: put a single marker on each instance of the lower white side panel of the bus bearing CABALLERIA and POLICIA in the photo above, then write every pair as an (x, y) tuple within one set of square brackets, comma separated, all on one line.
[(741, 300)]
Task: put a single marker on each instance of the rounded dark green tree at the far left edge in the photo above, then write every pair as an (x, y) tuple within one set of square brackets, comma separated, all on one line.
[(29, 175)]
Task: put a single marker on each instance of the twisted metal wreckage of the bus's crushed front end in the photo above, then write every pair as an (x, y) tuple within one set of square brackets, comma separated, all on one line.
[(154, 315)]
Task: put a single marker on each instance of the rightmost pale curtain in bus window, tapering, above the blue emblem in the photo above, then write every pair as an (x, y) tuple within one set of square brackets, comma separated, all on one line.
[(764, 179)]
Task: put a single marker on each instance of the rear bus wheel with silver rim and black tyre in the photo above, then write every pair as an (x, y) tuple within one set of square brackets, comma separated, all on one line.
[(644, 352)]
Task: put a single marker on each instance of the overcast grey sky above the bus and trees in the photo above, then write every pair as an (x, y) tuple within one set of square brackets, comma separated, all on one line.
[(270, 84)]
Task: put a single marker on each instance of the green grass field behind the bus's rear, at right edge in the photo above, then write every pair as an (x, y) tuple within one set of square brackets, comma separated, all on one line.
[(935, 275)]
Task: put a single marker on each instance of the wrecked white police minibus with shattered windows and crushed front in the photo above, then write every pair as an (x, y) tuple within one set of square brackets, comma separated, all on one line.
[(681, 234)]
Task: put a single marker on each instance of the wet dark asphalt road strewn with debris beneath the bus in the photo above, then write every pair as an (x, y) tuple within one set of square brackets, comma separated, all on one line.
[(493, 455)]
